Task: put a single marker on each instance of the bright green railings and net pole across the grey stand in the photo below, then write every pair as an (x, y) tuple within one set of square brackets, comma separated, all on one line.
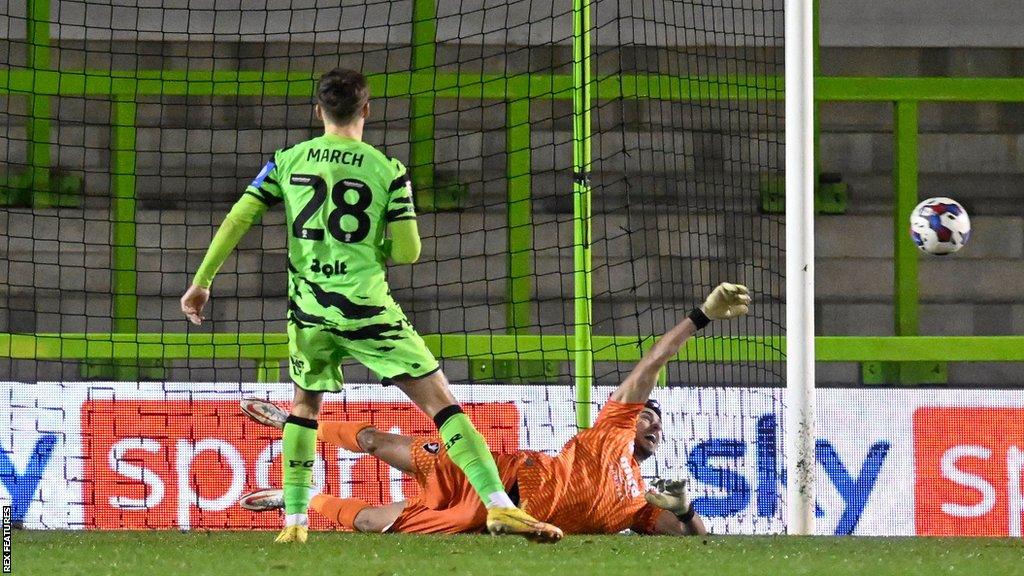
[(424, 86)]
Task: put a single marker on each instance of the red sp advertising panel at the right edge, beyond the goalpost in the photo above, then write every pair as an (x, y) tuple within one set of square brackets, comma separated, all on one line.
[(969, 466)]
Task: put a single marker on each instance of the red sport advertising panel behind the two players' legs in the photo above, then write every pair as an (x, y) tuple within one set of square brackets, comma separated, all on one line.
[(184, 465)]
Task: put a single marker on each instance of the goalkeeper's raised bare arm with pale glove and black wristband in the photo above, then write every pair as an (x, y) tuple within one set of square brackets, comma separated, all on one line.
[(728, 301)]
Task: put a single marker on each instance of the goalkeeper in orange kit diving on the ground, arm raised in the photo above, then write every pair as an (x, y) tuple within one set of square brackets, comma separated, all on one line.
[(593, 486)]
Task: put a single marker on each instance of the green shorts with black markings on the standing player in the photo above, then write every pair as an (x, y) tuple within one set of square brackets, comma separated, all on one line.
[(388, 345)]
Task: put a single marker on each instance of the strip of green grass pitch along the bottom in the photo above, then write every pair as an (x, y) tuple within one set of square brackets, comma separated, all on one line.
[(220, 554)]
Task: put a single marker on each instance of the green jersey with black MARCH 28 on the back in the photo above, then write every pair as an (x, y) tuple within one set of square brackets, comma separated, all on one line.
[(339, 196)]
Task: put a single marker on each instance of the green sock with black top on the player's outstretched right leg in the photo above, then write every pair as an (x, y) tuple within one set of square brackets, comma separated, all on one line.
[(470, 451)]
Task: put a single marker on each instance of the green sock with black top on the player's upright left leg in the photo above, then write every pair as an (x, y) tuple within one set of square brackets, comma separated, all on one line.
[(298, 456)]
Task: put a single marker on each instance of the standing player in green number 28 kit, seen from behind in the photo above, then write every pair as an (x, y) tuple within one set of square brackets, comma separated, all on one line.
[(350, 210)]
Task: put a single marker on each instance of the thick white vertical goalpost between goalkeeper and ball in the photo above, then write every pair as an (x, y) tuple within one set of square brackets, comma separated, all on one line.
[(800, 426)]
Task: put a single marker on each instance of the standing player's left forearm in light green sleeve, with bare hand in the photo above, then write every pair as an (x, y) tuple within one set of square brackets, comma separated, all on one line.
[(247, 212)]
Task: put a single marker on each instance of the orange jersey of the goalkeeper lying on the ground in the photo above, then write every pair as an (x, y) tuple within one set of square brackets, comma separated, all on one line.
[(594, 485)]
